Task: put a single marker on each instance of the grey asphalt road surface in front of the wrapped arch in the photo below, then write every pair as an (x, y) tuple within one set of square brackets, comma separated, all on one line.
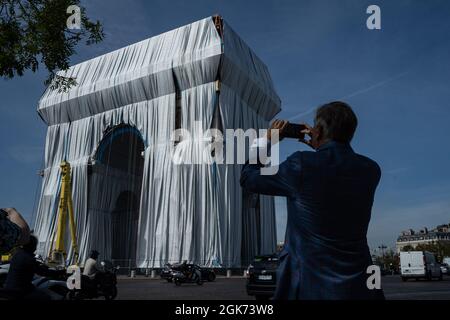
[(234, 289)]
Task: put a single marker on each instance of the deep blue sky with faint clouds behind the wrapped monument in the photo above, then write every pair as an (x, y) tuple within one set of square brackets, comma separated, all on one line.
[(397, 79)]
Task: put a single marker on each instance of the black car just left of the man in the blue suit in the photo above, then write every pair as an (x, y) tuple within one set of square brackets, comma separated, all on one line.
[(261, 277)]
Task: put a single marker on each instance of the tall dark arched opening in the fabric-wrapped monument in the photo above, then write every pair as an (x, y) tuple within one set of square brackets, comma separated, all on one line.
[(115, 179)]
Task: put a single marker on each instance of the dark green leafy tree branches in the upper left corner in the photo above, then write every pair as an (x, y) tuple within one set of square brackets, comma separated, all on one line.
[(34, 32)]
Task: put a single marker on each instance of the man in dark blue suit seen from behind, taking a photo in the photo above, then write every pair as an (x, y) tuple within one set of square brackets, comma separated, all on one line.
[(330, 192)]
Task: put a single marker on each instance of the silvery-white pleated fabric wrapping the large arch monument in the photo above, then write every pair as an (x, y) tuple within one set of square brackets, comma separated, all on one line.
[(186, 212)]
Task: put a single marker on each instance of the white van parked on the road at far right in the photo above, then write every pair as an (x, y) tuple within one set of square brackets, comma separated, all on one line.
[(419, 264)]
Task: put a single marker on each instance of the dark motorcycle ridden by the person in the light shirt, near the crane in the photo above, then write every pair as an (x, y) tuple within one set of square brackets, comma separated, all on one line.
[(103, 285)]
